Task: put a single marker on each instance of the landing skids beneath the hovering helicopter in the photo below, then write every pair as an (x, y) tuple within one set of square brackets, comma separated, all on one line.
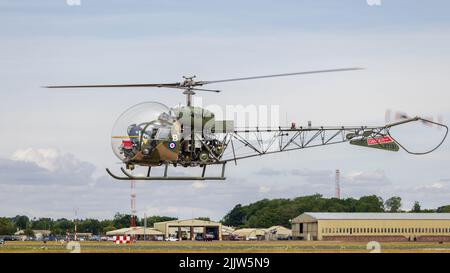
[(129, 176)]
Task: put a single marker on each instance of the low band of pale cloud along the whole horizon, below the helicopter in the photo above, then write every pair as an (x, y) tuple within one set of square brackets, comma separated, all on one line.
[(62, 182)]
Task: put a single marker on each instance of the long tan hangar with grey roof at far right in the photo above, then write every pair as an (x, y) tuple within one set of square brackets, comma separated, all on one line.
[(372, 226)]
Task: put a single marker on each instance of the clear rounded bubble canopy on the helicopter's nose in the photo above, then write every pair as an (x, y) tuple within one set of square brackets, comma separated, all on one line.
[(136, 121)]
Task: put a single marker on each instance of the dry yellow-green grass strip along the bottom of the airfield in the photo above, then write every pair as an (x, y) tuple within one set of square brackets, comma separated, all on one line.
[(223, 246)]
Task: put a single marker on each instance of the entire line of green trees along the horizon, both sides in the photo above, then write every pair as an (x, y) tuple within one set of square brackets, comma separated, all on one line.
[(262, 214)]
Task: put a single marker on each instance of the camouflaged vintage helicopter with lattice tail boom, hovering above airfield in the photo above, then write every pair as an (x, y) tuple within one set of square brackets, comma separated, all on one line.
[(151, 134)]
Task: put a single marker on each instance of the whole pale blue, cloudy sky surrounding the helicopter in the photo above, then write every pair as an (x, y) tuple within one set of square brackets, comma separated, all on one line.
[(56, 143)]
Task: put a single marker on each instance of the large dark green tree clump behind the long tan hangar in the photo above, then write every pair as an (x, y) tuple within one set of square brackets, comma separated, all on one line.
[(266, 213)]
